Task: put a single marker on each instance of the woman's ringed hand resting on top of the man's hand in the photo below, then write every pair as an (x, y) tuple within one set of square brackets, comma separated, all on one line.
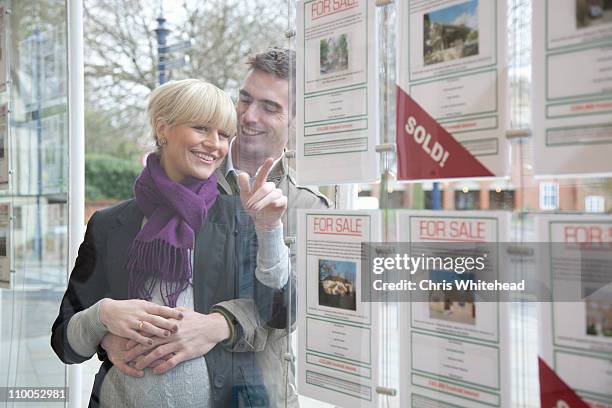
[(127, 318)]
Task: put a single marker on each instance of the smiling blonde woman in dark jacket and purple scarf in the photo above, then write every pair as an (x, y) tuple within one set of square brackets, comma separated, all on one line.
[(154, 269)]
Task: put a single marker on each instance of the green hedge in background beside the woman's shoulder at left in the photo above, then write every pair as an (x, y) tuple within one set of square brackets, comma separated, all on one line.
[(109, 178)]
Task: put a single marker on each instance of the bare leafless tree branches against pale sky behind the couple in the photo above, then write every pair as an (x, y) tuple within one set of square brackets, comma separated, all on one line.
[(121, 53)]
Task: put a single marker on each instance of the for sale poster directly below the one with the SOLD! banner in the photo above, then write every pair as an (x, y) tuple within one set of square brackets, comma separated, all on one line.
[(454, 350)]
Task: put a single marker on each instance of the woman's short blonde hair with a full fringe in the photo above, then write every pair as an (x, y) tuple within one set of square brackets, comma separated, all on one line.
[(191, 101)]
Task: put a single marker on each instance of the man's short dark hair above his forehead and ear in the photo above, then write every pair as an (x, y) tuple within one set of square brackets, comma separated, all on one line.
[(279, 62)]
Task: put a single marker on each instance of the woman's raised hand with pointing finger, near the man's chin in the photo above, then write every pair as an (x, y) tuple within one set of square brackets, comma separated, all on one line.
[(264, 203)]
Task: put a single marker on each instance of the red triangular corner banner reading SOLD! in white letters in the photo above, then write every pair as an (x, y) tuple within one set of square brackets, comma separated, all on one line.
[(425, 150)]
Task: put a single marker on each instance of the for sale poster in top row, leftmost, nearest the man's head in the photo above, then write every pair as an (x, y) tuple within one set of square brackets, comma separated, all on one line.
[(337, 92)]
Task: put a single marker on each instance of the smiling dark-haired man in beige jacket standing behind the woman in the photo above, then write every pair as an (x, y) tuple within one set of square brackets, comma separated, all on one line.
[(266, 118)]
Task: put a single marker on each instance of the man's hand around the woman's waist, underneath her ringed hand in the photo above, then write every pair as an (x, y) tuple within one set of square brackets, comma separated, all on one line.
[(197, 334)]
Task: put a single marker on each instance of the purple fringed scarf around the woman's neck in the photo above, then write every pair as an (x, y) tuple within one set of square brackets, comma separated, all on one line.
[(161, 252)]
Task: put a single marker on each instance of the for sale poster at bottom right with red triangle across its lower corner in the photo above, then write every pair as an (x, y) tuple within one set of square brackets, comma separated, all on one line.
[(576, 336)]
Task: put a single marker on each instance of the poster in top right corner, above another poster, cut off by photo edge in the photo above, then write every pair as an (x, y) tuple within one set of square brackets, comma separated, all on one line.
[(572, 87)]
